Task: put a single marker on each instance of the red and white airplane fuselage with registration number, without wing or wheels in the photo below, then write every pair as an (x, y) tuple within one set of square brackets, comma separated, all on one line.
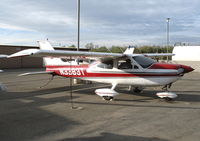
[(155, 75)]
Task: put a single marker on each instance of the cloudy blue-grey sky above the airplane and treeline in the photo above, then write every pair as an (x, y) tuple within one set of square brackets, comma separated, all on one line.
[(103, 22)]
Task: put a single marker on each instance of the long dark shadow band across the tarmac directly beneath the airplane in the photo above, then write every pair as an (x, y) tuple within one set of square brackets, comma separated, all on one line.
[(184, 96)]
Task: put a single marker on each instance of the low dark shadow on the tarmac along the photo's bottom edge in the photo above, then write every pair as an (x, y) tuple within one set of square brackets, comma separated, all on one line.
[(113, 137)]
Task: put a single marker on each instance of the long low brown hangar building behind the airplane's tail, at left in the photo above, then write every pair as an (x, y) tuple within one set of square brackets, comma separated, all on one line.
[(23, 62)]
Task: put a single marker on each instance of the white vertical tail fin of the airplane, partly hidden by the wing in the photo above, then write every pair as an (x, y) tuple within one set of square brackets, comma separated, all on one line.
[(50, 61)]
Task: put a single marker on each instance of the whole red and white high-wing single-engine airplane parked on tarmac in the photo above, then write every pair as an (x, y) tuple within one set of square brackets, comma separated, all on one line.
[(136, 70)]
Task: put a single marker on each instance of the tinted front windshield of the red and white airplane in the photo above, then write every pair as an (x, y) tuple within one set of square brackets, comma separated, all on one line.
[(144, 61)]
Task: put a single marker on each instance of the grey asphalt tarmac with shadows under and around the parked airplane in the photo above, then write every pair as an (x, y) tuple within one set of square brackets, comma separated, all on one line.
[(31, 113)]
